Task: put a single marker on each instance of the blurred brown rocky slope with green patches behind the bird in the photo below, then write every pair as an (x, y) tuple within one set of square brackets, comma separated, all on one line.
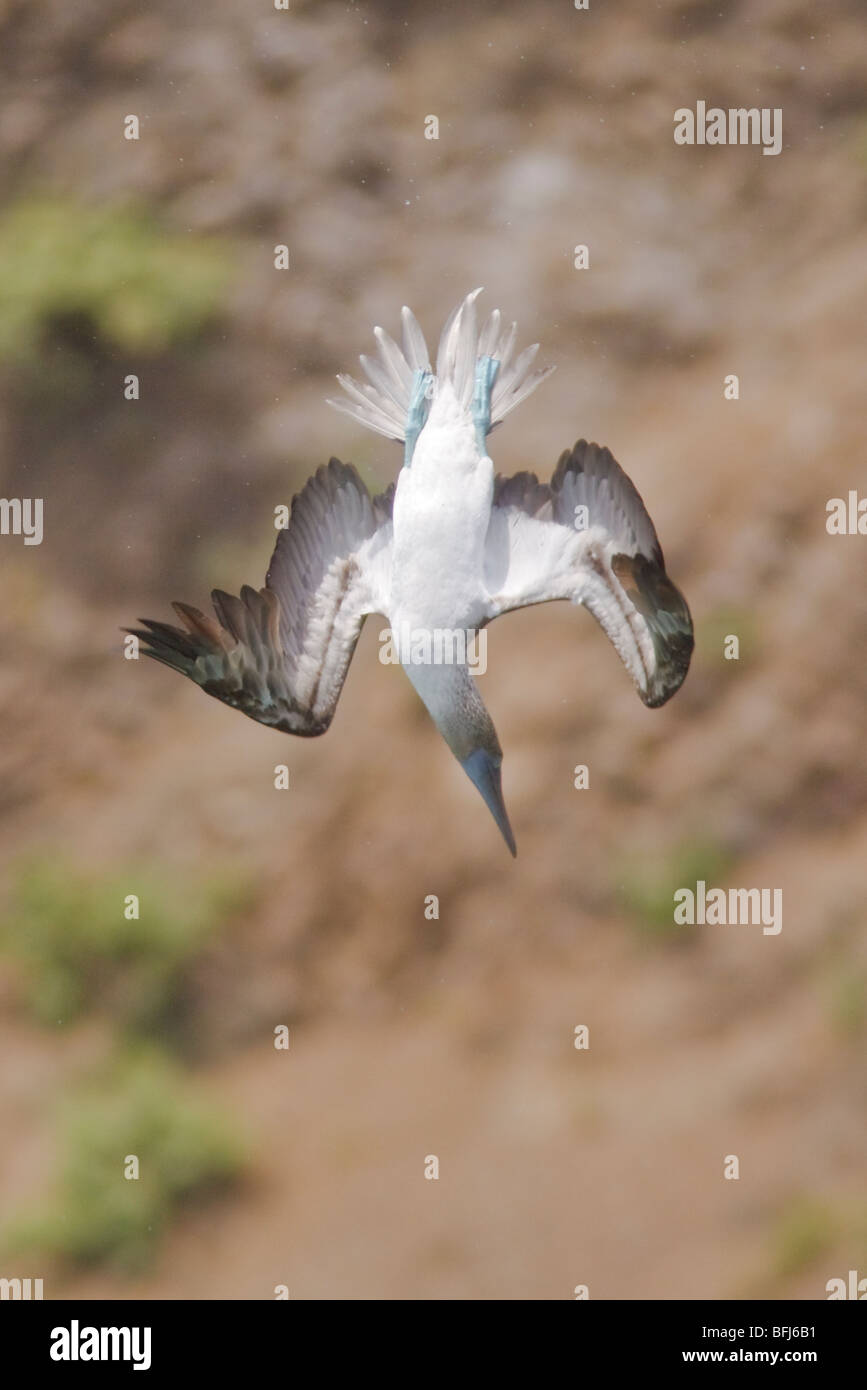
[(413, 1036)]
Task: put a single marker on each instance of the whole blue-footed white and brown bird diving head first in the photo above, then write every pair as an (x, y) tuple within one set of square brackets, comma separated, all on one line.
[(448, 548)]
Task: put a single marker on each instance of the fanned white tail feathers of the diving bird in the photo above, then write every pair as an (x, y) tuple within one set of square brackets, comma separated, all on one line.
[(383, 402)]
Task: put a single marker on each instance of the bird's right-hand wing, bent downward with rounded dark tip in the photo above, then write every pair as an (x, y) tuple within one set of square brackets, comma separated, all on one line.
[(587, 537)]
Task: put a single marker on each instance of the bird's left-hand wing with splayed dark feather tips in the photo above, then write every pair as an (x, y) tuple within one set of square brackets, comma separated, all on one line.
[(281, 654)]
